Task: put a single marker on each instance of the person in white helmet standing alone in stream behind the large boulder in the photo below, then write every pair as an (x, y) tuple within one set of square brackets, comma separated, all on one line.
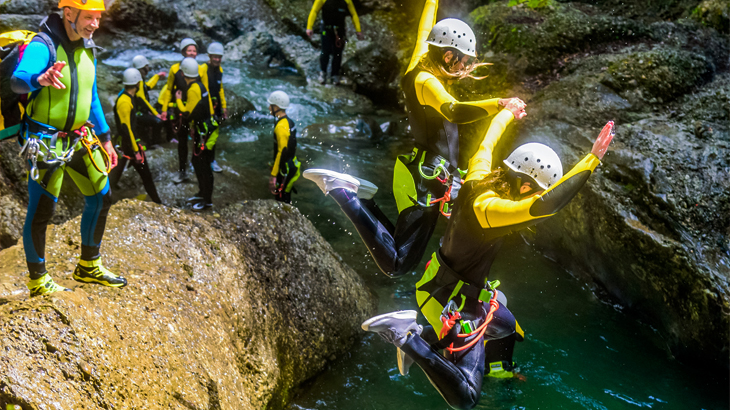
[(286, 168)]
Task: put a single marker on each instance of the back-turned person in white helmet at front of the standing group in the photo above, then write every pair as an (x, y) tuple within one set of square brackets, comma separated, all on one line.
[(198, 115)]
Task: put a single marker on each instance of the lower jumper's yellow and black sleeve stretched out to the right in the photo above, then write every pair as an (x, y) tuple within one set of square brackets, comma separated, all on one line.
[(495, 212)]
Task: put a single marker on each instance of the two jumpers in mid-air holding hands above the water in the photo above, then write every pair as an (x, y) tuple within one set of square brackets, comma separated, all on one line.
[(471, 332)]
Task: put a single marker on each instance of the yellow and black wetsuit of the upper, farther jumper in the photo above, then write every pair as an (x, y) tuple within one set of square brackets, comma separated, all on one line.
[(424, 177)]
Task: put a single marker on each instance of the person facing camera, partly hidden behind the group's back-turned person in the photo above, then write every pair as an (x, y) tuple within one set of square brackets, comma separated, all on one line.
[(176, 81)]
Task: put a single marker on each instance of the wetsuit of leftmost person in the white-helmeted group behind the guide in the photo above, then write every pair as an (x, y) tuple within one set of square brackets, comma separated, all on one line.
[(127, 122)]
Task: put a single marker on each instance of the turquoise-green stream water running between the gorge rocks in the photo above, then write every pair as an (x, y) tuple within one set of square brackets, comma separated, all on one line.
[(579, 353)]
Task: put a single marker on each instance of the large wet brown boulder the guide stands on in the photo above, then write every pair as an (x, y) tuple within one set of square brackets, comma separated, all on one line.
[(229, 311)]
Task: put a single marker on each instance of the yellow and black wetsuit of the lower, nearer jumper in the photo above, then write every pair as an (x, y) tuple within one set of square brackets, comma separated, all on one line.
[(458, 271)]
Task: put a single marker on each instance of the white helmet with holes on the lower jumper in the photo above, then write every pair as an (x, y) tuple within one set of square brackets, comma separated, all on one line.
[(538, 161)]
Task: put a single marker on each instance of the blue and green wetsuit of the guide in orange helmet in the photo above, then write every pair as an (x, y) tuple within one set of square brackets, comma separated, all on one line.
[(68, 110)]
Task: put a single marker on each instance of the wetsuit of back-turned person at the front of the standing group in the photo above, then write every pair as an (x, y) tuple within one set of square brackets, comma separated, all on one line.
[(197, 111)]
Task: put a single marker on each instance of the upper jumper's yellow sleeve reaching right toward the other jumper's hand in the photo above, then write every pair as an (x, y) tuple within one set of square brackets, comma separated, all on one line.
[(431, 92)]
